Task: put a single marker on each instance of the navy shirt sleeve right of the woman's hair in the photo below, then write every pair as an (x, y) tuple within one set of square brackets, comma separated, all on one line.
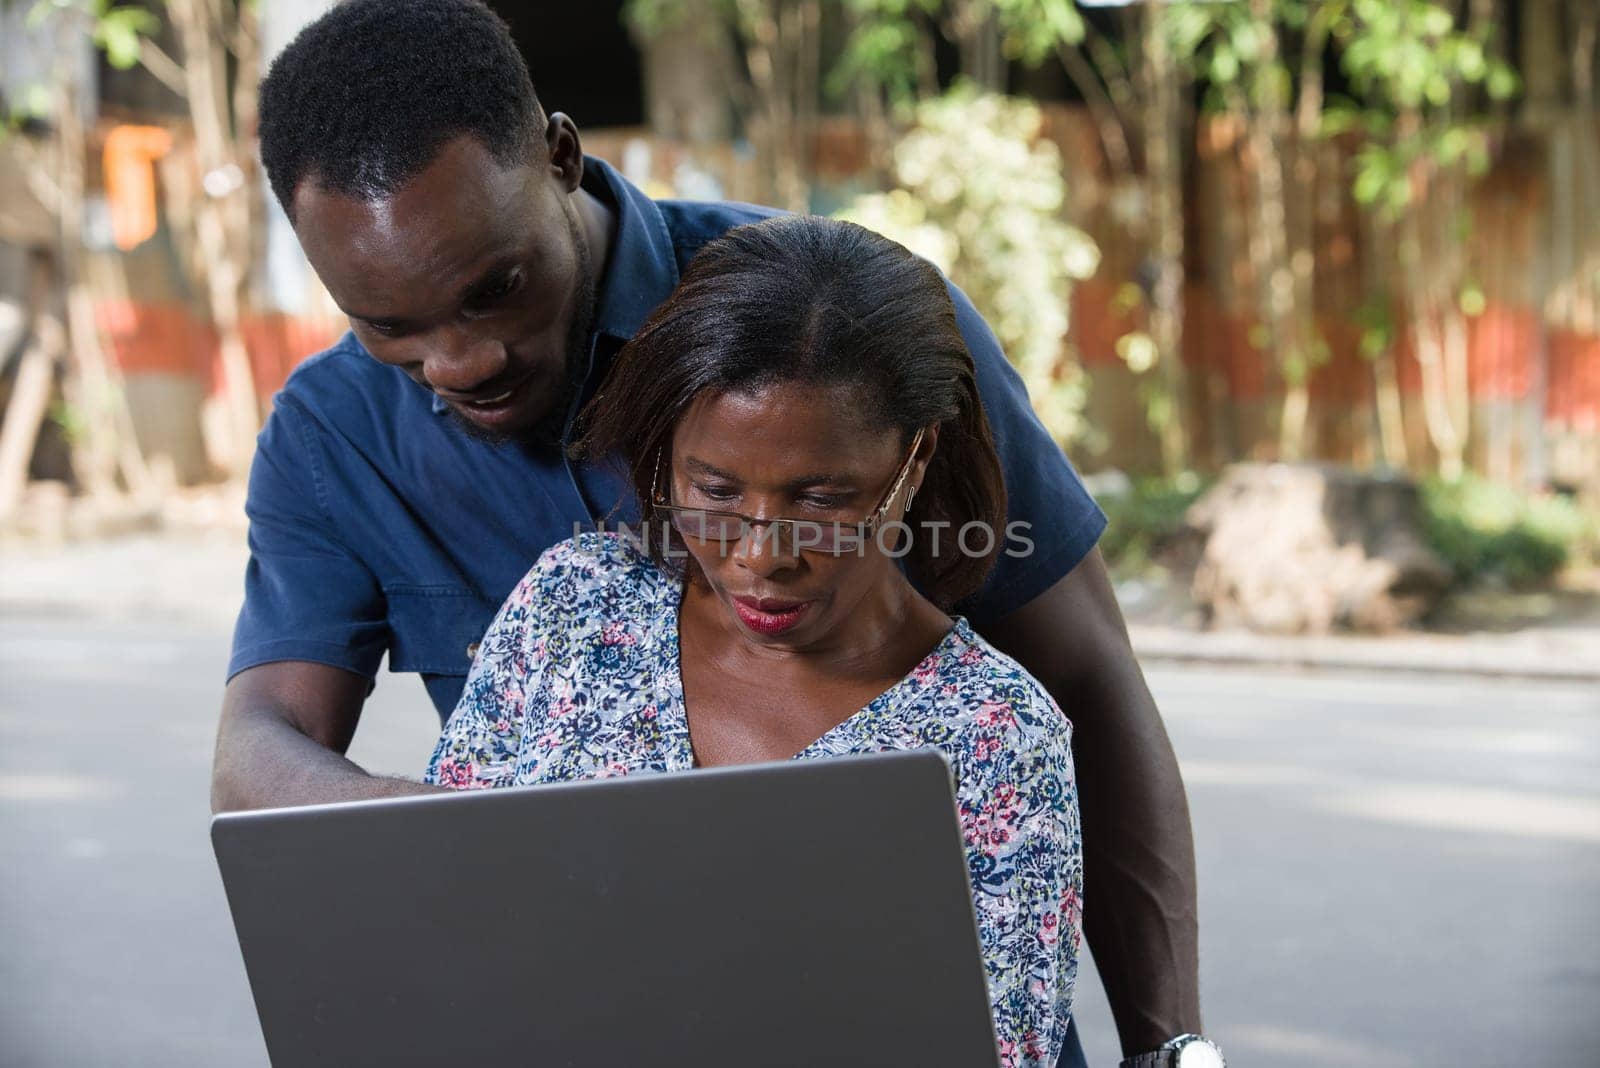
[(1044, 492)]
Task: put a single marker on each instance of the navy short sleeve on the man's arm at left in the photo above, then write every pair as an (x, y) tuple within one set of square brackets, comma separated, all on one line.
[(308, 597)]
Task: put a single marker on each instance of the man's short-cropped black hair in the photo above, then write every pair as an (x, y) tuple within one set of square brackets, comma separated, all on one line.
[(367, 95)]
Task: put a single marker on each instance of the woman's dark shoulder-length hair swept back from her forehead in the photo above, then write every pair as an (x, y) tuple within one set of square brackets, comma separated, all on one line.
[(826, 303)]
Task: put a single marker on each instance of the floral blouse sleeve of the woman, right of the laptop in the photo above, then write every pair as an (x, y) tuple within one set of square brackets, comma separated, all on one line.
[(1023, 842)]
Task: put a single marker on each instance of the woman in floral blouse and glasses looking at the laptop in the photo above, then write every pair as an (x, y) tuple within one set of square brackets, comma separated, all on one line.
[(802, 426)]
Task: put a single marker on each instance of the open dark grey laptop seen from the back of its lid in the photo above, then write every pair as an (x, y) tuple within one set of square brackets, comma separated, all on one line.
[(794, 914)]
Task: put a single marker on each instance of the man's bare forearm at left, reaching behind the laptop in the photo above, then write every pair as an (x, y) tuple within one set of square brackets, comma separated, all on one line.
[(282, 739)]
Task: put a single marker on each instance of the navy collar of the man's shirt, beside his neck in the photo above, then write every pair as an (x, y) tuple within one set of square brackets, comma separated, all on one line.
[(642, 266)]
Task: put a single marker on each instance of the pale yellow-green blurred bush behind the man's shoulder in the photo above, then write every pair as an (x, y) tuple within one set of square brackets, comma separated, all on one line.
[(982, 196)]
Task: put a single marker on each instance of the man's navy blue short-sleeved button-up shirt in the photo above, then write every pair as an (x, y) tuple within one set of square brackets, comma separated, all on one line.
[(378, 525)]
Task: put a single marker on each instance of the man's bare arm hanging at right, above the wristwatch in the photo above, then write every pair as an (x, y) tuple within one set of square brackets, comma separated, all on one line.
[(1138, 850)]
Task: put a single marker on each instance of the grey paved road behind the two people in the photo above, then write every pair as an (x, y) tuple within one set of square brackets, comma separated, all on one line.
[(1393, 872)]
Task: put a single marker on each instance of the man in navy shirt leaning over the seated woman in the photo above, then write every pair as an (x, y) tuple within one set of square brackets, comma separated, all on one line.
[(412, 474)]
